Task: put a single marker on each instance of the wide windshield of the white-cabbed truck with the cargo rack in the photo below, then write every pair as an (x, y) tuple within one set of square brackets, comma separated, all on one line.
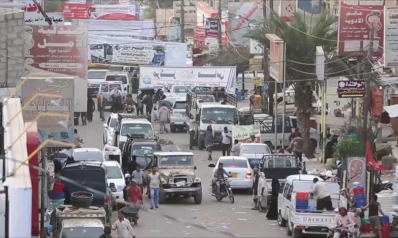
[(218, 115)]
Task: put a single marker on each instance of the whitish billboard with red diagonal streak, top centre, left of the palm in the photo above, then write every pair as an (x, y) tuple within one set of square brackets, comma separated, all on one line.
[(241, 18)]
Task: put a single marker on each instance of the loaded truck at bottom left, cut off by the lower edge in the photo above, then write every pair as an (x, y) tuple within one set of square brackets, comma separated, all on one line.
[(69, 222)]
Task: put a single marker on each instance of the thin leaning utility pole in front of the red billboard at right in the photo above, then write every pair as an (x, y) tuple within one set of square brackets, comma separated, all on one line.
[(366, 102)]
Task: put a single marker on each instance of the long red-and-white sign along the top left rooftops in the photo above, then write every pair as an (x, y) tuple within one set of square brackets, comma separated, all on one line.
[(100, 12)]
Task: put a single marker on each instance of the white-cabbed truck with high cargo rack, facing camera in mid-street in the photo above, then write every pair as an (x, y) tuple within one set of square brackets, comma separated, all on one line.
[(203, 106)]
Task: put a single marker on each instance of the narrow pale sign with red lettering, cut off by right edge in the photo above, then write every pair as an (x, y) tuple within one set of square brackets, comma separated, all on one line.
[(391, 37)]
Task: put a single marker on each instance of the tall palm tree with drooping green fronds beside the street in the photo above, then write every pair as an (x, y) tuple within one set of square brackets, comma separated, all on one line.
[(301, 41)]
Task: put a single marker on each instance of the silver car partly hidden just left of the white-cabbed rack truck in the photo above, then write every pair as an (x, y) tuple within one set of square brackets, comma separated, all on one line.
[(178, 117)]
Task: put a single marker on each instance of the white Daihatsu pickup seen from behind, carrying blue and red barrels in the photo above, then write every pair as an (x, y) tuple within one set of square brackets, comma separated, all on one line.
[(307, 221)]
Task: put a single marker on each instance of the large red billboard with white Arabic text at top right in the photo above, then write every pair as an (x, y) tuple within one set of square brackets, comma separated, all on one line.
[(356, 18)]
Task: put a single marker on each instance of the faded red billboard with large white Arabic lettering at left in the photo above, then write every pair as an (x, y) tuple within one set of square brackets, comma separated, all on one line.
[(62, 51)]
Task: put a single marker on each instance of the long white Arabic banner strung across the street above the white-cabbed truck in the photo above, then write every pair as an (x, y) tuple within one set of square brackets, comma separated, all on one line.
[(188, 76)]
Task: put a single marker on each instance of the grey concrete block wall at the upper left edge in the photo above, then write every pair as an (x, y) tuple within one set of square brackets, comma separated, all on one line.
[(11, 46)]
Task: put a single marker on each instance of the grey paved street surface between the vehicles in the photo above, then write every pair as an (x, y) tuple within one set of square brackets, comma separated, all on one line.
[(183, 218)]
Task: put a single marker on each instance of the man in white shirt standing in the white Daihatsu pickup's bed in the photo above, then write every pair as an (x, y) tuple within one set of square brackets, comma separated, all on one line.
[(322, 195)]
